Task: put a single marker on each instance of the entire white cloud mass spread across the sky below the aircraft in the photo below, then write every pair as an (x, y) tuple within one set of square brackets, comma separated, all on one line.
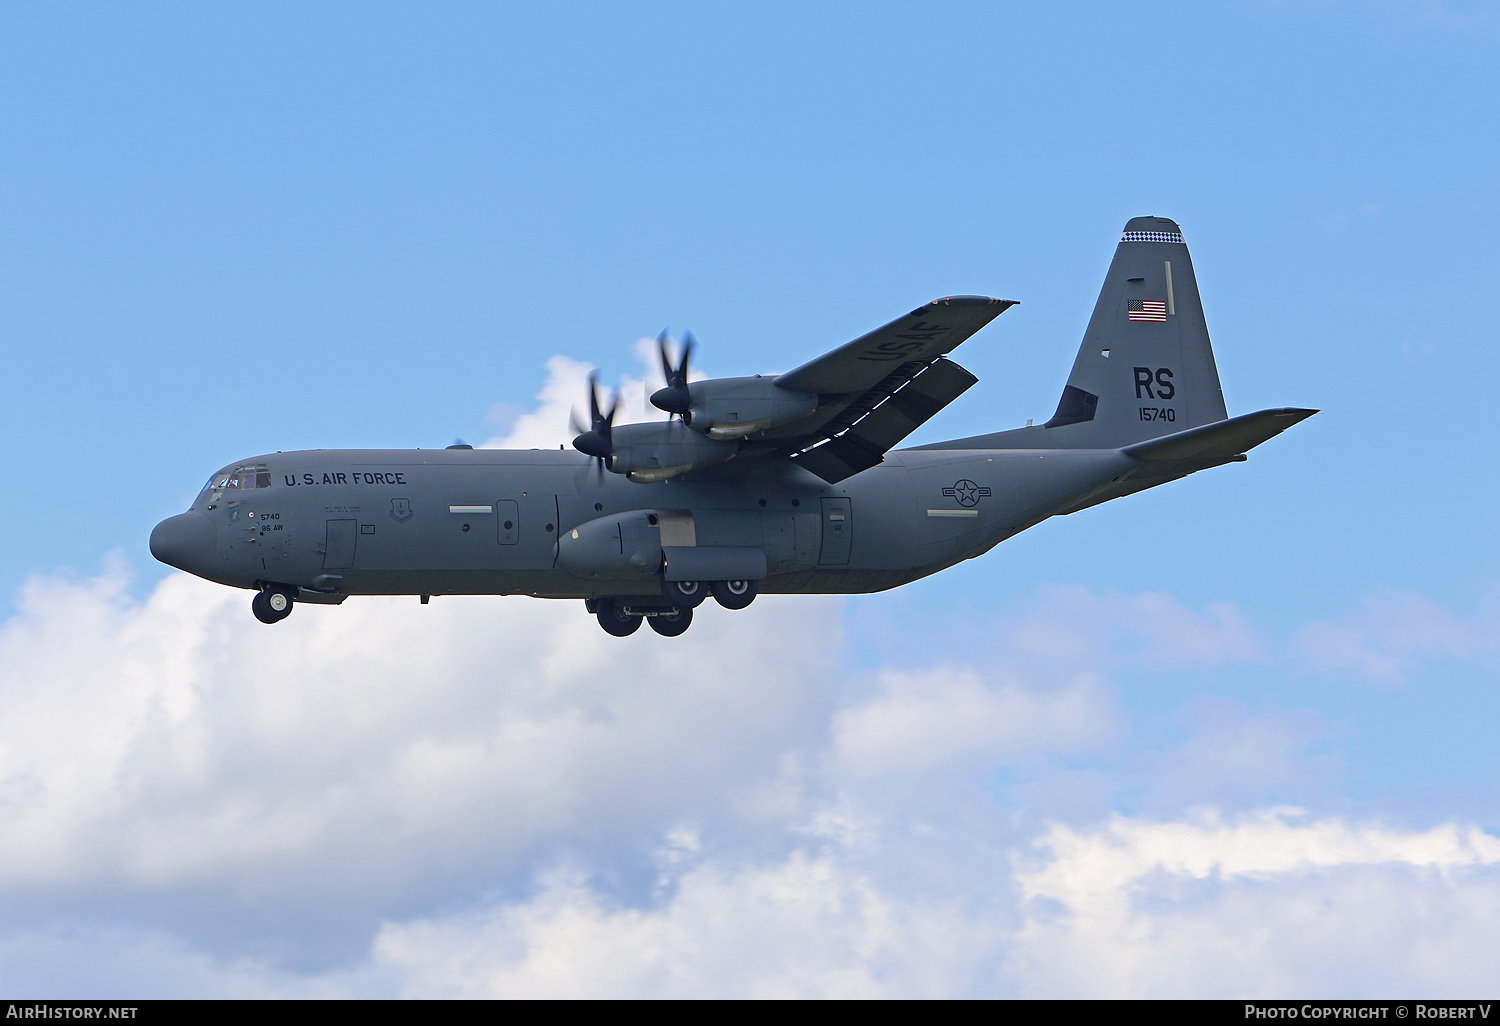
[(493, 797)]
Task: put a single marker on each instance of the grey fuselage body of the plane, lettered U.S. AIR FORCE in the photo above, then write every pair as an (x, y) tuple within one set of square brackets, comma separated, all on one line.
[(445, 523)]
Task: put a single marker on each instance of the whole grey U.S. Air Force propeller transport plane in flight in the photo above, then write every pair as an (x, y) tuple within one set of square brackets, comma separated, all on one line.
[(781, 484)]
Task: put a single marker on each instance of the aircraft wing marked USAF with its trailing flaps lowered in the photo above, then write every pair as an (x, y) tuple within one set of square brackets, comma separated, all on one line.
[(881, 388)]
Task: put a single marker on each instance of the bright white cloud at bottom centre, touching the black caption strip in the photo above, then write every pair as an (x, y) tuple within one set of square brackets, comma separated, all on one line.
[(806, 926)]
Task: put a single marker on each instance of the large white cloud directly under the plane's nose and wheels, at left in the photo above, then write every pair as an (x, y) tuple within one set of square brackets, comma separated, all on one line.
[(179, 743)]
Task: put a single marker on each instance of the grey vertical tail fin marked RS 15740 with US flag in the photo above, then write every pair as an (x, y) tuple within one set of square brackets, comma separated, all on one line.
[(1147, 367)]
